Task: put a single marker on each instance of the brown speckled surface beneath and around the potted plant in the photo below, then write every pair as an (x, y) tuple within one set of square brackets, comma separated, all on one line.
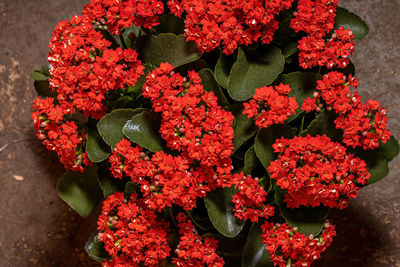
[(38, 229)]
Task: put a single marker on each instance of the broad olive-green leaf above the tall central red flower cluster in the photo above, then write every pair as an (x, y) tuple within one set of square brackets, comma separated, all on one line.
[(168, 47)]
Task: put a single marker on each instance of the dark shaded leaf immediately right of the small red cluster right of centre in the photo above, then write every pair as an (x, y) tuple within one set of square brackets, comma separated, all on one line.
[(302, 85)]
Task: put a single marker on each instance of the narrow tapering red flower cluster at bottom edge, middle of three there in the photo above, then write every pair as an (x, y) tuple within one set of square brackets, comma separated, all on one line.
[(192, 250)]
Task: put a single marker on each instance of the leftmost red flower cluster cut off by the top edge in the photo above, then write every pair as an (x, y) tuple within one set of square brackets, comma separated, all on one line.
[(113, 15)]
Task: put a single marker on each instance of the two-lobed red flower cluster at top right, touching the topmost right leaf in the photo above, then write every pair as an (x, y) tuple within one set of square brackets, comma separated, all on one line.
[(317, 19)]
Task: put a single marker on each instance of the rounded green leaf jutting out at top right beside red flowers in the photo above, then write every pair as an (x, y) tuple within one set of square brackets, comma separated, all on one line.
[(351, 21)]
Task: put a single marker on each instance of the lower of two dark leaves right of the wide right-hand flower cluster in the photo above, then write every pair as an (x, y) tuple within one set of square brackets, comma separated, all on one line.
[(376, 163)]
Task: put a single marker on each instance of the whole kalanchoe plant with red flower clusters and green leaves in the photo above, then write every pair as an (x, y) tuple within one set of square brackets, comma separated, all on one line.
[(217, 132)]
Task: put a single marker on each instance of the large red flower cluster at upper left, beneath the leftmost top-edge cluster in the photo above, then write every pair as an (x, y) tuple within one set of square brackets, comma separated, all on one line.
[(83, 68)]
